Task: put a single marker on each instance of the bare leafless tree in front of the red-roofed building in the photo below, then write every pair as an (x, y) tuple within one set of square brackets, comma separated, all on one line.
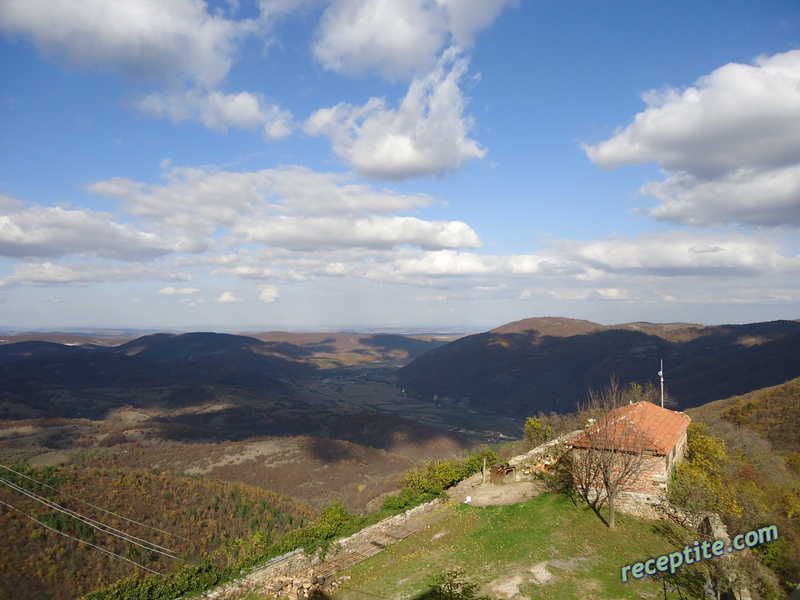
[(610, 453)]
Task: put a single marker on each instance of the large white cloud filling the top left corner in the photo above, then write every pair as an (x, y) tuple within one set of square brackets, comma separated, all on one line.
[(144, 39)]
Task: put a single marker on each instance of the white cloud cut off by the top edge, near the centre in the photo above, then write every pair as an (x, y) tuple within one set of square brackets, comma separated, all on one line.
[(397, 38)]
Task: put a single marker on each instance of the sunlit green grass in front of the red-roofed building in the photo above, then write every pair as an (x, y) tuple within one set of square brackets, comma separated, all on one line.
[(508, 541)]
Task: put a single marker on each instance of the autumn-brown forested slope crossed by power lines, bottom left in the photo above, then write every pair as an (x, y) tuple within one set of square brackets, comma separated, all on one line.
[(182, 519)]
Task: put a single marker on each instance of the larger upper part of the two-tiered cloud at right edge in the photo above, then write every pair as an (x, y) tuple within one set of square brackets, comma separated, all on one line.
[(738, 115)]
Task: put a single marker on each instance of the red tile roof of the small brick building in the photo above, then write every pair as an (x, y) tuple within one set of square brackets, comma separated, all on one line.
[(647, 427)]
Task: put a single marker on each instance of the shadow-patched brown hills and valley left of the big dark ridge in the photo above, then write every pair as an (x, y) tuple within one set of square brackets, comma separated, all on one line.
[(269, 406)]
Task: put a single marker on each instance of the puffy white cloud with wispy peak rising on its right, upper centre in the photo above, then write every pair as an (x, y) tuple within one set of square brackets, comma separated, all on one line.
[(427, 134)]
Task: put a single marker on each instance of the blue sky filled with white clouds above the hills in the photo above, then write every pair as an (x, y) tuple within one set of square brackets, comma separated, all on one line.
[(259, 164)]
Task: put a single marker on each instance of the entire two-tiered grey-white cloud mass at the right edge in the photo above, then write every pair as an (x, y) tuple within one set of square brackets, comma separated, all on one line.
[(732, 142)]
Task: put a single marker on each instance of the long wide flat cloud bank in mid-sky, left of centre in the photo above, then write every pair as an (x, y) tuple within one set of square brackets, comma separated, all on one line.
[(292, 208)]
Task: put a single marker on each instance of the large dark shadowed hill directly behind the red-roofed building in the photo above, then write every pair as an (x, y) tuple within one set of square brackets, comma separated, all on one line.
[(548, 364)]
